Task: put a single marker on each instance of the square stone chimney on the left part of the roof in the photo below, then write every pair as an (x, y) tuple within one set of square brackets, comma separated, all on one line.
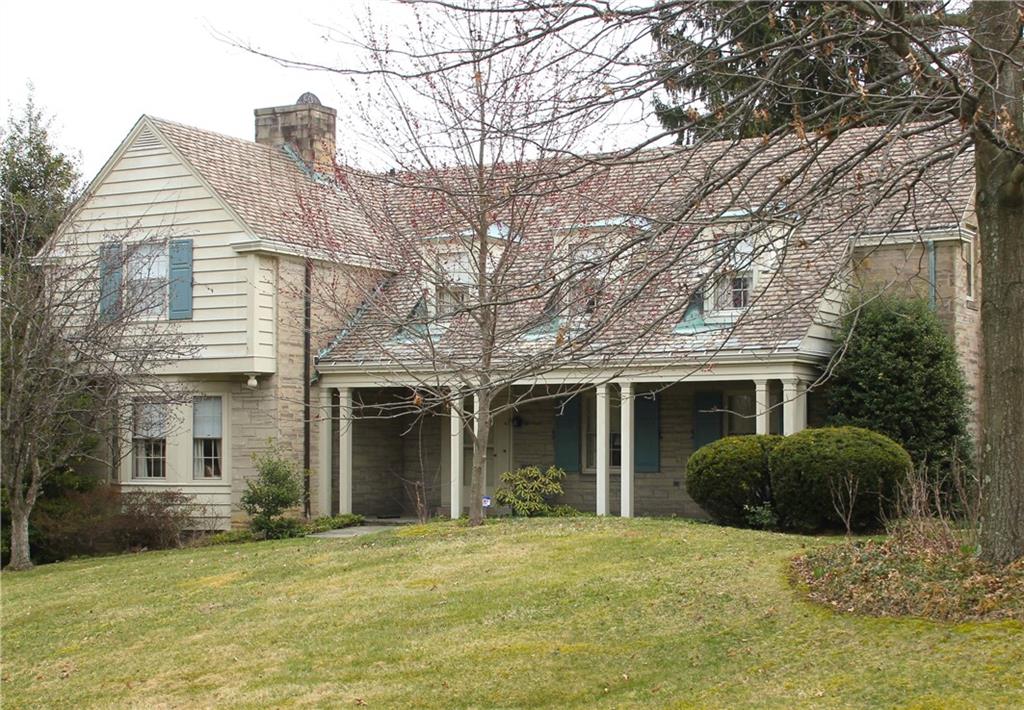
[(307, 126)]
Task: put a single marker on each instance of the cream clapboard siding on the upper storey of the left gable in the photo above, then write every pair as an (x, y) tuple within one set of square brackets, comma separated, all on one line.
[(149, 191)]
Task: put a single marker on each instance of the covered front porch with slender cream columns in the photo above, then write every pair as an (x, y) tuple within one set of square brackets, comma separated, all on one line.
[(624, 444)]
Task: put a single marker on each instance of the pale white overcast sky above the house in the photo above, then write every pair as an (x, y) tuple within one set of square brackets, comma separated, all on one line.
[(99, 66)]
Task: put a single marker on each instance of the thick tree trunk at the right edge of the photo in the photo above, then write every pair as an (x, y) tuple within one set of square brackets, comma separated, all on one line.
[(1000, 205)]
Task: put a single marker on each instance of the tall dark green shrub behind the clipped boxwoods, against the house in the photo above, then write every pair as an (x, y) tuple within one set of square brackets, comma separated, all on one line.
[(900, 377)]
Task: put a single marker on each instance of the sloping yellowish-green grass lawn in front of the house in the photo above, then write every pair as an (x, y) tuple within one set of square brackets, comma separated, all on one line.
[(571, 612)]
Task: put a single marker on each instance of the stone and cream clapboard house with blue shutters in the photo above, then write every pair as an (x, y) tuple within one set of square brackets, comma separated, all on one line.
[(306, 290)]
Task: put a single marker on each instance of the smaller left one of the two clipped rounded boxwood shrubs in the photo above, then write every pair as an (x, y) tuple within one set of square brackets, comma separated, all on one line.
[(730, 475)]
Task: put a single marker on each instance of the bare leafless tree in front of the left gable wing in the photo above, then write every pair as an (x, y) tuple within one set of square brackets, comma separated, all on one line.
[(75, 355)]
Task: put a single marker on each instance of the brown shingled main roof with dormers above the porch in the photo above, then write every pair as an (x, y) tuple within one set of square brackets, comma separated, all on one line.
[(870, 182)]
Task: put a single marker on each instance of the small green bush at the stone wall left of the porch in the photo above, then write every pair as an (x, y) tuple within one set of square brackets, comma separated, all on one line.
[(277, 488)]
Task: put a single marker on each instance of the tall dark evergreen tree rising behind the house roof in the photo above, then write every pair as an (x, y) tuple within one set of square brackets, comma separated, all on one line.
[(807, 65)]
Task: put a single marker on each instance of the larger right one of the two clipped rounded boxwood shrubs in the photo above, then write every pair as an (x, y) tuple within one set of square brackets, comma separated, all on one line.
[(815, 470)]
